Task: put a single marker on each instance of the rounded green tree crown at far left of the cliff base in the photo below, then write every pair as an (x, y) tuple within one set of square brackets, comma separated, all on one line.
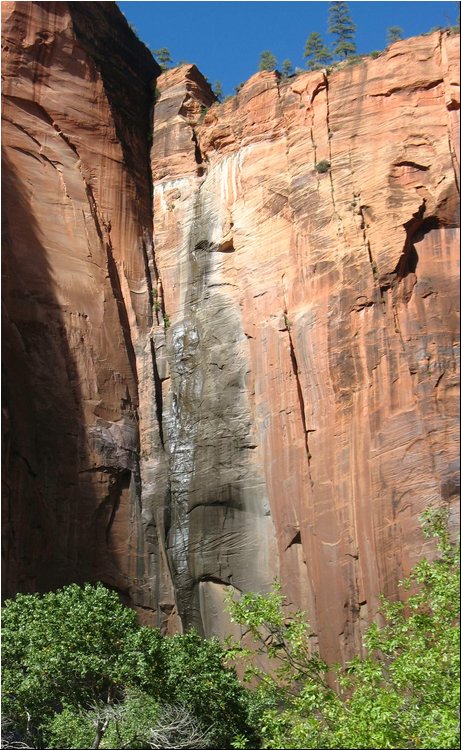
[(65, 644)]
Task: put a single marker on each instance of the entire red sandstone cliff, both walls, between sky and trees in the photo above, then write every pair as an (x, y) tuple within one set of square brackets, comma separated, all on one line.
[(271, 387)]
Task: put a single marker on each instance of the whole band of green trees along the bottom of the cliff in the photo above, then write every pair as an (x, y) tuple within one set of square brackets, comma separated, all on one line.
[(78, 672)]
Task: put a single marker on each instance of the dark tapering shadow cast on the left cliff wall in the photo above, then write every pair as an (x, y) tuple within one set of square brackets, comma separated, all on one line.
[(46, 510)]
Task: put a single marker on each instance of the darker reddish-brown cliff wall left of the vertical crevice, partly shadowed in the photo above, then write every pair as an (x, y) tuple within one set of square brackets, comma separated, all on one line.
[(76, 301)]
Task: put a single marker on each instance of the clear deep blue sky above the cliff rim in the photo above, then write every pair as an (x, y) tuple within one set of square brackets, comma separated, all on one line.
[(225, 39)]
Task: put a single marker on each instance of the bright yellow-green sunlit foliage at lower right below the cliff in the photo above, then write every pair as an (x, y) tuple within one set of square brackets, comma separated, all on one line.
[(403, 694)]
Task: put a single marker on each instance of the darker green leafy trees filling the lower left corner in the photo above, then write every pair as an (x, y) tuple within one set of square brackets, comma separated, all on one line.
[(75, 660)]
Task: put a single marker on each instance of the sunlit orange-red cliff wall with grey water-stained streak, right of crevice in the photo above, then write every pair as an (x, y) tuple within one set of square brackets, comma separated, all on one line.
[(313, 329)]
